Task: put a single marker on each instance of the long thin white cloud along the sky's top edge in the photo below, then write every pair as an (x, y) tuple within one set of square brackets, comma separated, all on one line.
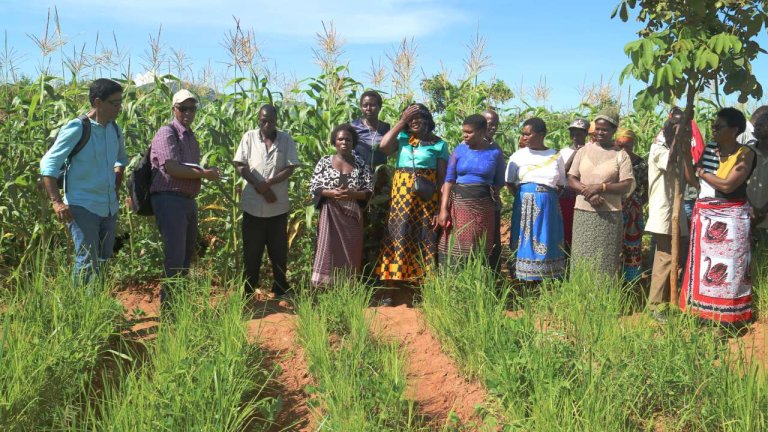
[(356, 21)]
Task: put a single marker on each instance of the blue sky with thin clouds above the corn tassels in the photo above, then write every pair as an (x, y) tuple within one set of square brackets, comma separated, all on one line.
[(570, 46)]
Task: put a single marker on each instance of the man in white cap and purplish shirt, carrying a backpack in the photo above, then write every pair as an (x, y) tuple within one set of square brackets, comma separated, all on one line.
[(175, 156)]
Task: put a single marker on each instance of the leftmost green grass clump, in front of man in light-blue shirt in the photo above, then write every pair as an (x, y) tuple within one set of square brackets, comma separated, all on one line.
[(53, 333)]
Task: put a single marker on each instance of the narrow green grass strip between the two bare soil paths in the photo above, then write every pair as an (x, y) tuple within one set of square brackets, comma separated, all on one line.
[(360, 378)]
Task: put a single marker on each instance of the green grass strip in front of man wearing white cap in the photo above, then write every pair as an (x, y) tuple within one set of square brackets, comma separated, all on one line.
[(203, 374)]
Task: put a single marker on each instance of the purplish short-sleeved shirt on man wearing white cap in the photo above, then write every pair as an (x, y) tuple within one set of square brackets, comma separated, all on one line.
[(174, 142)]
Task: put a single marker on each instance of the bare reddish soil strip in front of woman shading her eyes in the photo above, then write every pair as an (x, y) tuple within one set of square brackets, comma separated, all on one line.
[(434, 381)]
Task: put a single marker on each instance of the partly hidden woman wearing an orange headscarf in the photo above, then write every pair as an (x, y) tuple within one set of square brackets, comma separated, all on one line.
[(632, 208)]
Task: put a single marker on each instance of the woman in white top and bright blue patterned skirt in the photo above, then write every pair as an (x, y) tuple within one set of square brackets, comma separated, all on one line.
[(536, 173)]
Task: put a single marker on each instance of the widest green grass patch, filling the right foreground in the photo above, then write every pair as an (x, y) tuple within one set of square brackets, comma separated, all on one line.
[(575, 359)]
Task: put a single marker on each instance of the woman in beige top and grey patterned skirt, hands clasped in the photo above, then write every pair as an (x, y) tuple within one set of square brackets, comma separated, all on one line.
[(601, 174)]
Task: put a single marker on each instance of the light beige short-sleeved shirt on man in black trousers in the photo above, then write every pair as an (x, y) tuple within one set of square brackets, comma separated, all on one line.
[(264, 164)]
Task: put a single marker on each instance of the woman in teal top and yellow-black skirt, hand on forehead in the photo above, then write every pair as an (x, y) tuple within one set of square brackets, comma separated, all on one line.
[(410, 241)]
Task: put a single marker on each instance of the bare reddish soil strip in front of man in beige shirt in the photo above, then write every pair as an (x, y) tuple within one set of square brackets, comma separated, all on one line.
[(275, 332)]
